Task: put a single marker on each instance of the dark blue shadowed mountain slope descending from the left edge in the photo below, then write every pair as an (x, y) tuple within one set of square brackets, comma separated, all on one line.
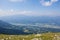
[(6, 28)]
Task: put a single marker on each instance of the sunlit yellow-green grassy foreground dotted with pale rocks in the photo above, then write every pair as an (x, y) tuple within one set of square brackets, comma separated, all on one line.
[(44, 36)]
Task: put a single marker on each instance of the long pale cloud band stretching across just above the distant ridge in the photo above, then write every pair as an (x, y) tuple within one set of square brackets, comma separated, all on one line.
[(27, 13)]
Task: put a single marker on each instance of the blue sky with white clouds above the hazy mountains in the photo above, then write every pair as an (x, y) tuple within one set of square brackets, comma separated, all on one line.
[(30, 7)]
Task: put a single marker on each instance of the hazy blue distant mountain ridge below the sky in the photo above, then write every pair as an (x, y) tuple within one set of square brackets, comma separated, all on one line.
[(31, 19)]
